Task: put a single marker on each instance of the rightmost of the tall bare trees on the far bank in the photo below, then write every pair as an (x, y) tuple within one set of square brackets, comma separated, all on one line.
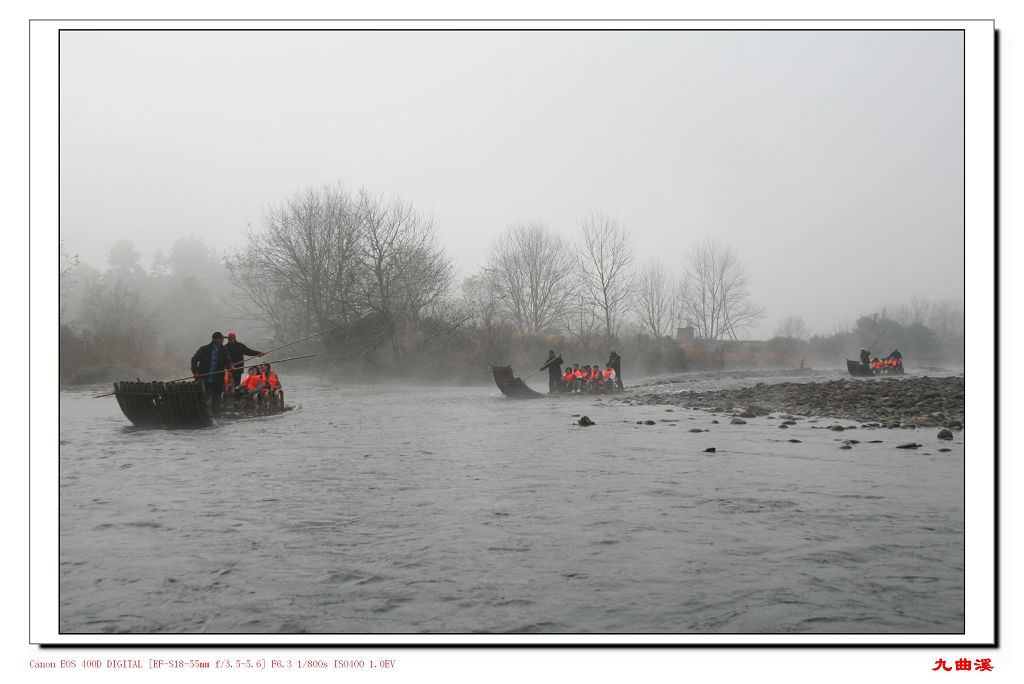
[(715, 294)]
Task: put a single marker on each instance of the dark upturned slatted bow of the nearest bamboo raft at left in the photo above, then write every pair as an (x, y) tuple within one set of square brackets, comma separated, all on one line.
[(164, 404)]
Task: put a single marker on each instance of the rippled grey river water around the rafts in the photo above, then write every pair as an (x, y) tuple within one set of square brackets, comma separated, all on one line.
[(390, 510)]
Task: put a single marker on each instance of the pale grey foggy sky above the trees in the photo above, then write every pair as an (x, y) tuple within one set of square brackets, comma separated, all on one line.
[(833, 161)]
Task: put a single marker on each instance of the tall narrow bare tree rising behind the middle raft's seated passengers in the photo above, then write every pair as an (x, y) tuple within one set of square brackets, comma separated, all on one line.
[(605, 268)]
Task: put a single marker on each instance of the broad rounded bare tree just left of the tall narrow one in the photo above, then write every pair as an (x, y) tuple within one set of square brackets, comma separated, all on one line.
[(531, 272)]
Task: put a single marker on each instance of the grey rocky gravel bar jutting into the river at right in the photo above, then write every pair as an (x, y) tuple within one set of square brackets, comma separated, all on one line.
[(891, 403)]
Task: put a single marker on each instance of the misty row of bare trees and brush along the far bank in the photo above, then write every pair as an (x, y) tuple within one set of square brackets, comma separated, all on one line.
[(372, 270)]
